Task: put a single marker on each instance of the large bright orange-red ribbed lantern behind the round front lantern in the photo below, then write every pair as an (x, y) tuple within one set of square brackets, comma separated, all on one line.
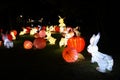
[(76, 42)]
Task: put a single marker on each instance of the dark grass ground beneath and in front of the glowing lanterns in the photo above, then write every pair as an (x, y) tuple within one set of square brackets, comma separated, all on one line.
[(21, 64)]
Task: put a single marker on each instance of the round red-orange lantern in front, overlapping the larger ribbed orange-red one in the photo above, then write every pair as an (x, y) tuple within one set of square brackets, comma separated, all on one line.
[(70, 54)]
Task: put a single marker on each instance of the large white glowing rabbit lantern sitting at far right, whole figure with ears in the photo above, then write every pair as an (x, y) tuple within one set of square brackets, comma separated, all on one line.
[(105, 62)]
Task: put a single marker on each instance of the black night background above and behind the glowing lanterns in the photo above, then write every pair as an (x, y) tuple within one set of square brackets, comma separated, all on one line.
[(91, 16)]
